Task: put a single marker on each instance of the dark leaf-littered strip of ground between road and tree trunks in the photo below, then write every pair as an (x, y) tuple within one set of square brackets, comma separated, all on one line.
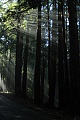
[(44, 109)]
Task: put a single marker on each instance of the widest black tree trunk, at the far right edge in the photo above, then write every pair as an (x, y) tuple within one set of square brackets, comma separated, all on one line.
[(74, 55)]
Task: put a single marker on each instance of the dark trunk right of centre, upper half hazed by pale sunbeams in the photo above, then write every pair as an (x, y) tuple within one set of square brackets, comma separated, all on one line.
[(52, 67)]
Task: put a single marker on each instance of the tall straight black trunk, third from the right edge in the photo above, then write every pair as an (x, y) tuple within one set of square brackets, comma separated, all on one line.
[(60, 57)]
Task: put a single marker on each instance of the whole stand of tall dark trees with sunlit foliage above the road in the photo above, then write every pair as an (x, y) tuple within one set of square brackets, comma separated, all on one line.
[(40, 51)]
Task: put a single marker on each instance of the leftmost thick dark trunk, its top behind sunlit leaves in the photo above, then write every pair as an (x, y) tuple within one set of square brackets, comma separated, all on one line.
[(19, 49)]
